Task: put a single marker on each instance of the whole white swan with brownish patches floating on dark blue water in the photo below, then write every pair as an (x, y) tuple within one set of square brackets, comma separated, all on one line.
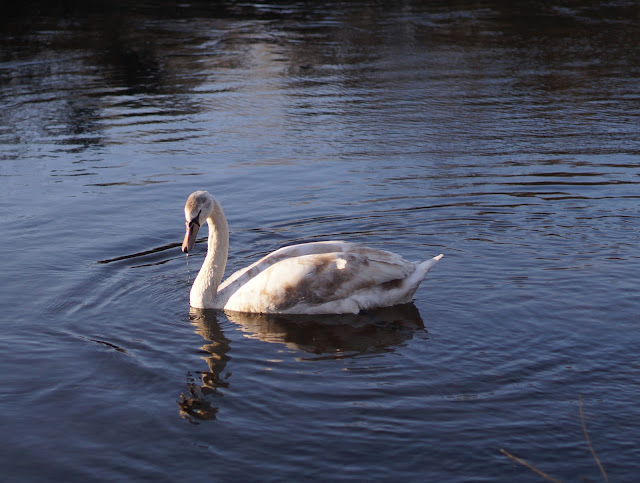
[(330, 277)]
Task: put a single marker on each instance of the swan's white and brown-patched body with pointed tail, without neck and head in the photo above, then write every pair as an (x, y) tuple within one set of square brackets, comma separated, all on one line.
[(322, 277)]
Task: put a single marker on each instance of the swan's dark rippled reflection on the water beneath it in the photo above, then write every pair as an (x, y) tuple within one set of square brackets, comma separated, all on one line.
[(324, 336)]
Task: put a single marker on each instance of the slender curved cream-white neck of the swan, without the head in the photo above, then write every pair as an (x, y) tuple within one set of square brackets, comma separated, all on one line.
[(205, 287)]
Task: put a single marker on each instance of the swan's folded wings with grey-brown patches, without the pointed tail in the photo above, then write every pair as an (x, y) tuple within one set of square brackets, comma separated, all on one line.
[(315, 279)]
